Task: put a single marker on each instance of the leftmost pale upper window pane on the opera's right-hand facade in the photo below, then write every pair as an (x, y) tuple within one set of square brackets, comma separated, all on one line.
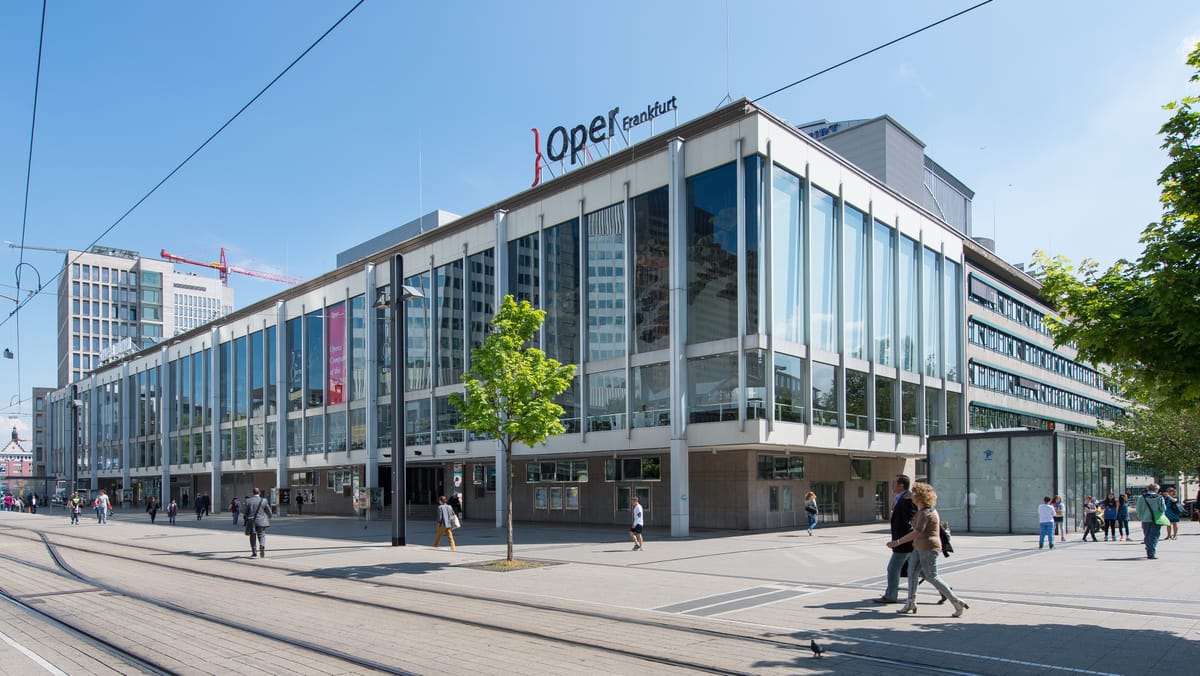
[(788, 256)]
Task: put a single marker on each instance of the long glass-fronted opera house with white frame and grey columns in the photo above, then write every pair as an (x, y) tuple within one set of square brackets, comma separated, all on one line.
[(752, 318)]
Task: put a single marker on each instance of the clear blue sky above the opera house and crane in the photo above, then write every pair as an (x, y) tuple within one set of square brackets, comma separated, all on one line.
[(1048, 111)]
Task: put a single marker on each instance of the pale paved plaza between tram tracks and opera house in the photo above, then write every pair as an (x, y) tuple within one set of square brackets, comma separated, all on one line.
[(1084, 608)]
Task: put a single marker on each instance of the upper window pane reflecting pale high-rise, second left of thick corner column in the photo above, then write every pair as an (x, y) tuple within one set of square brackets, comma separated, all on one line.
[(607, 283)]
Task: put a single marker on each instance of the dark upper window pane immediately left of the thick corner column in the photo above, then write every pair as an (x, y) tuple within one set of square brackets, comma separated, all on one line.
[(652, 312)]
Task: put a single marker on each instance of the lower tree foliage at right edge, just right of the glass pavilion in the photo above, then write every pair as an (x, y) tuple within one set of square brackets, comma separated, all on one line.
[(1161, 438)]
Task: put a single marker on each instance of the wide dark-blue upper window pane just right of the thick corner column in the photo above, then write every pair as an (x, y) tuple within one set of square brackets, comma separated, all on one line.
[(712, 266)]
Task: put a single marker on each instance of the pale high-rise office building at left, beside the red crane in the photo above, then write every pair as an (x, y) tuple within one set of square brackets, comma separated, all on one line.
[(113, 302)]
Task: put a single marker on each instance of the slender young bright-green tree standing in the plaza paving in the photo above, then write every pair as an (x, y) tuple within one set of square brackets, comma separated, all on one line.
[(512, 388)]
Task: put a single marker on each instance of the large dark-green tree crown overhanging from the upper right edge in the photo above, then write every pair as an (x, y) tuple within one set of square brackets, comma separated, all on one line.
[(1142, 318)]
